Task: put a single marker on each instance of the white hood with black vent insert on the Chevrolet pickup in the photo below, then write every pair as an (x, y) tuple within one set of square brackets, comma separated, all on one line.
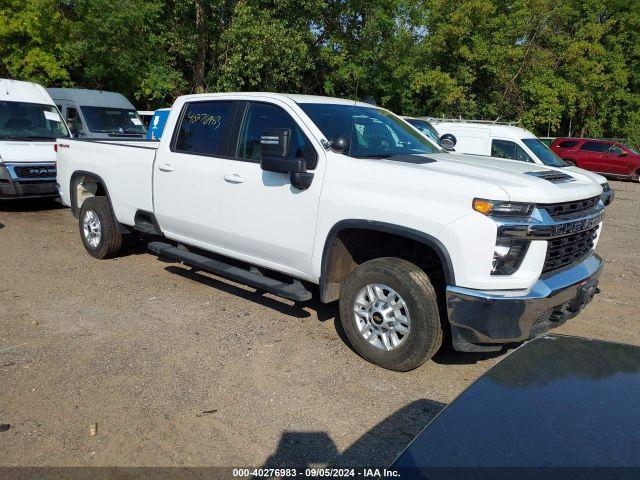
[(517, 179)]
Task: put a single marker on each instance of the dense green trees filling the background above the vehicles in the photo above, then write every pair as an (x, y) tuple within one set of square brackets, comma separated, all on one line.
[(553, 65)]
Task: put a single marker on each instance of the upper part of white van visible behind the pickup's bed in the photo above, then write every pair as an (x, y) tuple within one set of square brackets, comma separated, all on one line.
[(96, 114)]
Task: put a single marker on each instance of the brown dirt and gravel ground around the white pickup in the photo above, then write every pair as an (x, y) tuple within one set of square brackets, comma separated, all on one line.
[(184, 369)]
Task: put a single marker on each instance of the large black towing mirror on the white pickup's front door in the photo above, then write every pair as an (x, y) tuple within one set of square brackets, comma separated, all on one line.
[(274, 157)]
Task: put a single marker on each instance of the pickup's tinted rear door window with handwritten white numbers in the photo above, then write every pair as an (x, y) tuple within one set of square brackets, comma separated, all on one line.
[(204, 128)]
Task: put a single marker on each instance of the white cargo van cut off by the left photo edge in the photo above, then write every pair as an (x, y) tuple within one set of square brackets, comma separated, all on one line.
[(29, 126)]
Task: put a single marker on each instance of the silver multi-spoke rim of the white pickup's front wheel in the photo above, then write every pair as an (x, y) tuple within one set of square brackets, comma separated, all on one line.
[(382, 316)]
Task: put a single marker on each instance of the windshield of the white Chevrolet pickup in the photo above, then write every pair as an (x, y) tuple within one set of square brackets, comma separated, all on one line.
[(373, 133)]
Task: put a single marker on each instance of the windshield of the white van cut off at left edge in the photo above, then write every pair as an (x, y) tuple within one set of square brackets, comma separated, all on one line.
[(30, 121)]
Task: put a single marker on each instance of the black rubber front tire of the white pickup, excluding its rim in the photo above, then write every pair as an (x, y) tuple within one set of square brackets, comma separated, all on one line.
[(413, 285)]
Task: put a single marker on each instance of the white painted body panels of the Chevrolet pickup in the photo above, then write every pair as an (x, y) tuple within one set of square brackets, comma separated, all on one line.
[(264, 221)]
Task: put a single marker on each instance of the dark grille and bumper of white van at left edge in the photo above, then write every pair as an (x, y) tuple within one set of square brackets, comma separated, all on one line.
[(14, 186)]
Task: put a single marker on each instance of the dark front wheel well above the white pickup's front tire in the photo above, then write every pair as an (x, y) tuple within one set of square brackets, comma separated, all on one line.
[(352, 246)]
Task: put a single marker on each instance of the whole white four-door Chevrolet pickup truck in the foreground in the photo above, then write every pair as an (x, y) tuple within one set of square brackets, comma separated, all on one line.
[(281, 192)]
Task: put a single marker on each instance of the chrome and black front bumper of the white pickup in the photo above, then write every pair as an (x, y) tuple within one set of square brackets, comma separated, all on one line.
[(483, 320)]
